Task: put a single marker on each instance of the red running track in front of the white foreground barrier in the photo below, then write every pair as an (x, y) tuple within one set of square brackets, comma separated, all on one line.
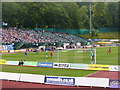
[(13, 85)]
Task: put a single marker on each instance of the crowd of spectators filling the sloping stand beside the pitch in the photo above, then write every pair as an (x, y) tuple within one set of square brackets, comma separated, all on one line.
[(31, 36)]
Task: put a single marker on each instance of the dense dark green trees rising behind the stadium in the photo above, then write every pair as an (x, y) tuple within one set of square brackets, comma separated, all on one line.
[(62, 15)]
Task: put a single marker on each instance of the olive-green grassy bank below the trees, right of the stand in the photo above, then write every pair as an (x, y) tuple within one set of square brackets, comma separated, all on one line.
[(107, 35)]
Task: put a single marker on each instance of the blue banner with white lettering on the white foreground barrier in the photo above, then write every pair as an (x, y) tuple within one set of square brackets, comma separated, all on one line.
[(59, 80)]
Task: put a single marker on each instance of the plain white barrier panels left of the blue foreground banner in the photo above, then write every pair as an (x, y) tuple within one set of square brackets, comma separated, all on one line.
[(22, 77)]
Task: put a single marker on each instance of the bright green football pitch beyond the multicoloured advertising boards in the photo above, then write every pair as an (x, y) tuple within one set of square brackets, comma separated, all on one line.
[(71, 56)]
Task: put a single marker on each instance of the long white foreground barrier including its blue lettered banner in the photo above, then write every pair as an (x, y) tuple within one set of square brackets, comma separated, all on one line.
[(56, 80)]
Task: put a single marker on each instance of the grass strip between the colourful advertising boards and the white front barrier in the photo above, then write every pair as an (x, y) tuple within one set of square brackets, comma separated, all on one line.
[(46, 71)]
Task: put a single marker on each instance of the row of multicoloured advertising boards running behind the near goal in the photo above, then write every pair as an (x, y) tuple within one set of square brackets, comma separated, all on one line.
[(65, 65)]
